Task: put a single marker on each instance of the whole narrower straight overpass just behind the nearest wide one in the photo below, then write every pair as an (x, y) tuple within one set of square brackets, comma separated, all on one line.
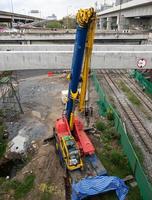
[(33, 36)]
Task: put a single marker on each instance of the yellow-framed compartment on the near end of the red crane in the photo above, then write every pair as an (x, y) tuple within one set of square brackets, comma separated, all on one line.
[(71, 153)]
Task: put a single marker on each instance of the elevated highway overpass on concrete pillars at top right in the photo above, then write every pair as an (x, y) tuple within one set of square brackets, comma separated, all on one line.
[(130, 15)]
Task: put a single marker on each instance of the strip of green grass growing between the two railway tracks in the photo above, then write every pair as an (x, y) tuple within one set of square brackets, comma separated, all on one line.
[(129, 93)]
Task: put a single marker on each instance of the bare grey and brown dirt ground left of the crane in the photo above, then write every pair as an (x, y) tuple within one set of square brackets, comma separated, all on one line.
[(41, 95)]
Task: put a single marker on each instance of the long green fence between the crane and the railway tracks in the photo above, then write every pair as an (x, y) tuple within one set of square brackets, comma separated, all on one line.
[(104, 106)]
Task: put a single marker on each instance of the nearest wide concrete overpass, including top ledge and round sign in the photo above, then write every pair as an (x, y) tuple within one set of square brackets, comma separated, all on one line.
[(60, 57)]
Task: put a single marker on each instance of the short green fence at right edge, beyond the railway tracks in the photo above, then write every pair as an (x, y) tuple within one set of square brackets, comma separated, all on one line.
[(142, 81)]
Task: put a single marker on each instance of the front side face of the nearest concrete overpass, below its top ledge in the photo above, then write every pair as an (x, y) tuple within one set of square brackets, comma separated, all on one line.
[(19, 60)]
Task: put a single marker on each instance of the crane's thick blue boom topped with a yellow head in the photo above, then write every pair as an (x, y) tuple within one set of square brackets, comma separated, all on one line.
[(84, 18)]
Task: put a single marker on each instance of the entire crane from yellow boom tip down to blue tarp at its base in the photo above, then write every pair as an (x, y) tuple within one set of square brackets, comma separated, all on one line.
[(74, 147)]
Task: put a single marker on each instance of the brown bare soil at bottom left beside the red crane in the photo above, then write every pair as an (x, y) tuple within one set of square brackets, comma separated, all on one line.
[(49, 174)]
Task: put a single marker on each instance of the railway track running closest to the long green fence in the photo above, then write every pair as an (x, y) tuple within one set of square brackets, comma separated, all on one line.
[(141, 130)]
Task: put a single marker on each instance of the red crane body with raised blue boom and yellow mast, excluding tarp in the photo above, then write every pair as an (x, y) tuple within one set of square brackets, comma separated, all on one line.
[(71, 141)]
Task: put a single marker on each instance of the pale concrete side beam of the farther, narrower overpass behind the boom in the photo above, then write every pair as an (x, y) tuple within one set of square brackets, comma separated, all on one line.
[(20, 37)]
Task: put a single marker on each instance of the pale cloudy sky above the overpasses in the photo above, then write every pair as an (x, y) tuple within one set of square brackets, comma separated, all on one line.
[(47, 7)]
